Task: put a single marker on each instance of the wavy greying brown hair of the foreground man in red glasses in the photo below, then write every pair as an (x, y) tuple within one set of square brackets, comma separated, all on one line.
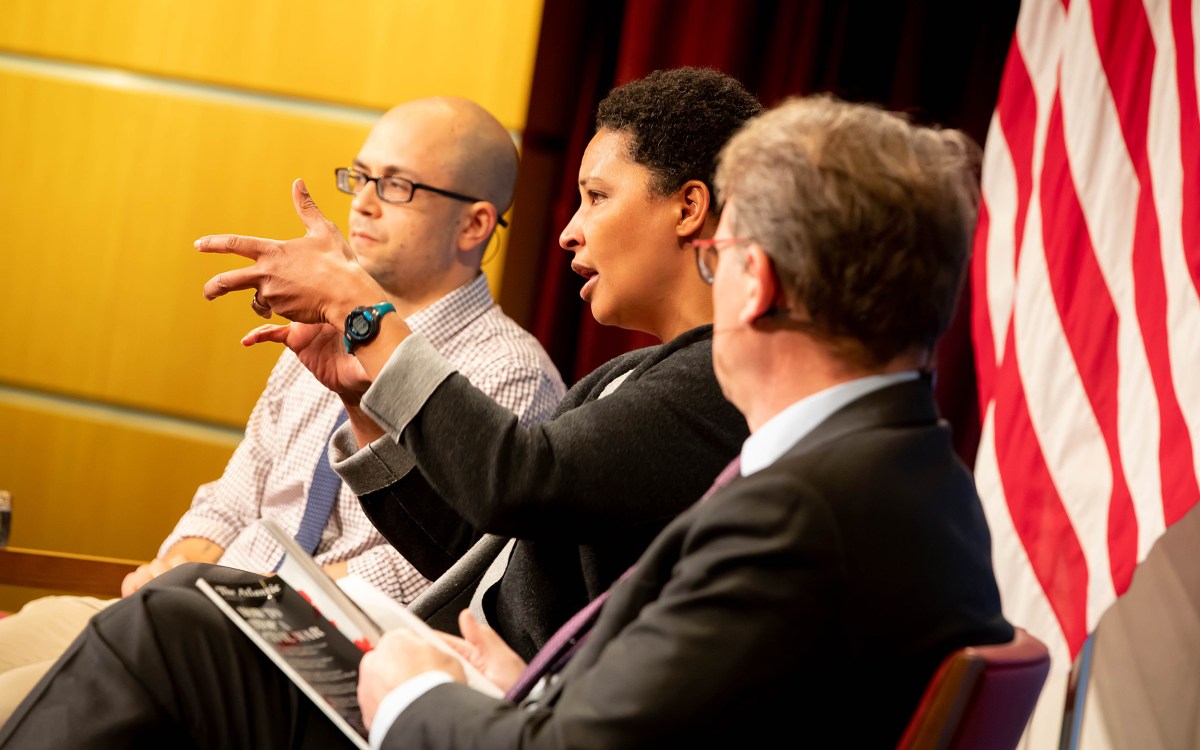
[(867, 218)]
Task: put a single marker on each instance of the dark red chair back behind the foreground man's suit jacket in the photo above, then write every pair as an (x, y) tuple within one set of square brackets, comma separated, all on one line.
[(981, 698)]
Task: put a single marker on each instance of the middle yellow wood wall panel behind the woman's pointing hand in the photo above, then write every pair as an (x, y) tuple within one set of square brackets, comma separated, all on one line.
[(105, 190)]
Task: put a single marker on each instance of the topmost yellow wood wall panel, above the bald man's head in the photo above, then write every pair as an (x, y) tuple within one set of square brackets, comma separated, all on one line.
[(371, 53)]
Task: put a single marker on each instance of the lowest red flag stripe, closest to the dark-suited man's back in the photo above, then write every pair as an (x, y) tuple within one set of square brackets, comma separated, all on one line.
[(1039, 517)]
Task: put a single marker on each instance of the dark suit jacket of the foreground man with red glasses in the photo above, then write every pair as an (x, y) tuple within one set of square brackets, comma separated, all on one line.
[(811, 602)]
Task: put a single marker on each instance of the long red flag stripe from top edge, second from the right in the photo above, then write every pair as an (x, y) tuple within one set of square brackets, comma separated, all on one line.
[(1127, 53)]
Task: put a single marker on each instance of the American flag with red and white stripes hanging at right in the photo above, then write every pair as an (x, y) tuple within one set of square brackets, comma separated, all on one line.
[(1087, 316)]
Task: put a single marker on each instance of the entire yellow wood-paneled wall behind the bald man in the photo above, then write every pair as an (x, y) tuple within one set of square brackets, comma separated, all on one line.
[(129, 129)]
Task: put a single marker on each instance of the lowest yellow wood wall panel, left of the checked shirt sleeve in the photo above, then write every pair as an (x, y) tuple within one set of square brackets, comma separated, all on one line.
[(94, 482)]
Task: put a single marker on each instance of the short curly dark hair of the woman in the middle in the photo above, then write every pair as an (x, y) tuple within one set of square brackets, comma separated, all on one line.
[(679, 121)]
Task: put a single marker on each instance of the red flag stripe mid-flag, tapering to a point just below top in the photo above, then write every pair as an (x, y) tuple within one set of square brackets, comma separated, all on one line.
[(1090, 322)]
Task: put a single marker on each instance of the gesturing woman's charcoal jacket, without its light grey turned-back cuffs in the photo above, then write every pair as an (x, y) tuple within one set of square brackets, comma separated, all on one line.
[(586, 491)]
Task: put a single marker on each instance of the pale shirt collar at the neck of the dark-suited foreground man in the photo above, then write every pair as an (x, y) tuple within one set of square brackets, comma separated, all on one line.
[(767, 445)]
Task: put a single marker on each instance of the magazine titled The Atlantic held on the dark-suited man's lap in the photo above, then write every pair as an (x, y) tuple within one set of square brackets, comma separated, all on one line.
[(317, 629)]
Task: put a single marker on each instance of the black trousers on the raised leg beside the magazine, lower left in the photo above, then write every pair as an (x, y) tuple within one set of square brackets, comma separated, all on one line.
[(165, 669)]
